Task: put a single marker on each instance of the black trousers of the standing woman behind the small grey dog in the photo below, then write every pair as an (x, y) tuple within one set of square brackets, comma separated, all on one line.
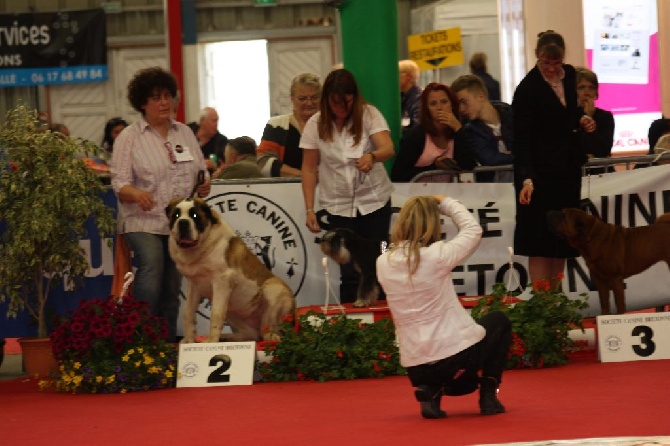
[(373, 226)]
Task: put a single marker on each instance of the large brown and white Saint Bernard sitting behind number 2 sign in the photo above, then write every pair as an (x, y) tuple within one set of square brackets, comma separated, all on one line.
[(218, 266)]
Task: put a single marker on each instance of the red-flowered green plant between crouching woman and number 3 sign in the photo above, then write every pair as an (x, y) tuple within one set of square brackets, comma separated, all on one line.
[(540, 324)]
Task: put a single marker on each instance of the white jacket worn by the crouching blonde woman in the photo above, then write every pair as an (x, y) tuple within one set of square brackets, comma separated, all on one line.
[(430, 321)]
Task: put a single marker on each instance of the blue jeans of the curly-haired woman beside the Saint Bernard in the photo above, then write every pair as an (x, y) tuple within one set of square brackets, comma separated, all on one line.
[(157, 280)]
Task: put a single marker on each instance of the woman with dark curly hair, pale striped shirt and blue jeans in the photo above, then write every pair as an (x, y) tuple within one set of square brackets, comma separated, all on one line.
[(154, 160)]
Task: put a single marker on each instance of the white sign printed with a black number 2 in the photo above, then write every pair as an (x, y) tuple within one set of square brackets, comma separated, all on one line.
[(216, 364)]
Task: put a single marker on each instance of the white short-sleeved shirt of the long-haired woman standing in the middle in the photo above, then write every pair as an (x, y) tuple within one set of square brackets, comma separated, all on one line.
[(343, 190)]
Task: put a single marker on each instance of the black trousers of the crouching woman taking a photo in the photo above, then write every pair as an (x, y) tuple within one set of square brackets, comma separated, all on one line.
[(458, 374)]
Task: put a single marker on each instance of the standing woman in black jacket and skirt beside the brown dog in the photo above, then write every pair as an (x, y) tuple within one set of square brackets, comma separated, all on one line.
[(548, 156)]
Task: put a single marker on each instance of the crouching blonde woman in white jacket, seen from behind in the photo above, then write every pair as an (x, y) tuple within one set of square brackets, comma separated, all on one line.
[(441, 346)]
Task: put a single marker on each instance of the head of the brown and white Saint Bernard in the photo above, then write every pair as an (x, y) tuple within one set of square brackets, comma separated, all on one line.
[(190, 221)]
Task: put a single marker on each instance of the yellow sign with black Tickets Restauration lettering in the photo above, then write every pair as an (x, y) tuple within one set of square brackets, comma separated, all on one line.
[(436, 49)]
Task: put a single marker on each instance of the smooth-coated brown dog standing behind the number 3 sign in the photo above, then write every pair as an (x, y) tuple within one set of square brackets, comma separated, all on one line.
[(613, 253)]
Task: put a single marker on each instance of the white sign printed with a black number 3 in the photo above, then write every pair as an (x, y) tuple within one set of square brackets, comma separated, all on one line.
[(634, 337)]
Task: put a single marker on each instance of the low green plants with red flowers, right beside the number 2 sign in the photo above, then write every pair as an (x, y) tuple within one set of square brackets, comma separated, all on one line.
[(321, 348)]
